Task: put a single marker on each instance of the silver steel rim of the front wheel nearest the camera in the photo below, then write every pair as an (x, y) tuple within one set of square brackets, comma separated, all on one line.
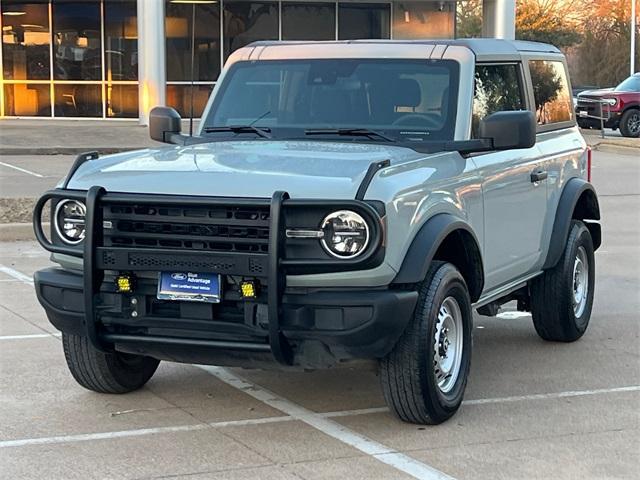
[(448, 344)]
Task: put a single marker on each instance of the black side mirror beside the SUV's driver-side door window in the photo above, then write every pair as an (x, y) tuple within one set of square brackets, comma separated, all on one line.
[(509, 130)]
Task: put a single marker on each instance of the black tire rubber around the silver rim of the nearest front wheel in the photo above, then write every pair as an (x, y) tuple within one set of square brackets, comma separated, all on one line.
[(408, 372)]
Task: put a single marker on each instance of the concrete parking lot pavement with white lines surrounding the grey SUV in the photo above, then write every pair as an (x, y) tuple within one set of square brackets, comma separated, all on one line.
[(532, 410)]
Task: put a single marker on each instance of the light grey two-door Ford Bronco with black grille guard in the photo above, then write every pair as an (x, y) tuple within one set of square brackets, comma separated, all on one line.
[(341, 200)]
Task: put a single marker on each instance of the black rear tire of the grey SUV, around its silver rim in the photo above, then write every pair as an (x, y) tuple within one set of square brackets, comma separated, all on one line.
[(552, 293)]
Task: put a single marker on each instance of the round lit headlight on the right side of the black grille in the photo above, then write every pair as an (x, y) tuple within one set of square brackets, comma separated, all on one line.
[(346, 234)]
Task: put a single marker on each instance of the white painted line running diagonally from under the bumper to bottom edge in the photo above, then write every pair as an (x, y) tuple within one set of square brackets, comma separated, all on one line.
[(376, 450)]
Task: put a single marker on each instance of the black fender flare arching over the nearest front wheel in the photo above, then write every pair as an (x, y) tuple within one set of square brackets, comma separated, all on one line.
[(425, 245)]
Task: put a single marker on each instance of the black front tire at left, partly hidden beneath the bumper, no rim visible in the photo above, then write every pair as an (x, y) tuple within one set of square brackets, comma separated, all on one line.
[(106, 372)]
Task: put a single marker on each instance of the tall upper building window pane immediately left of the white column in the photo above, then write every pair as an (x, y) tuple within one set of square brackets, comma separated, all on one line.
[(121, 40)]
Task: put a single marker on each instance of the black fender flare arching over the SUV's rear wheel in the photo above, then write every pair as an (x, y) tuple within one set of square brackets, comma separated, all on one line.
[(589, 209)]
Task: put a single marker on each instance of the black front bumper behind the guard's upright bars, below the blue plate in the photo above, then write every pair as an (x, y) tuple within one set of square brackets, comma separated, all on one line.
[(321, 327)]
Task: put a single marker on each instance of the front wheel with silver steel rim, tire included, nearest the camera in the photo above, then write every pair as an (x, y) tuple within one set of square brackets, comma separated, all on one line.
[(424, 377)]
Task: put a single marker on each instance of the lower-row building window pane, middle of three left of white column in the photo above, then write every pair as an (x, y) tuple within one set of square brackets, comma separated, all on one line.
[(78, 100)]
